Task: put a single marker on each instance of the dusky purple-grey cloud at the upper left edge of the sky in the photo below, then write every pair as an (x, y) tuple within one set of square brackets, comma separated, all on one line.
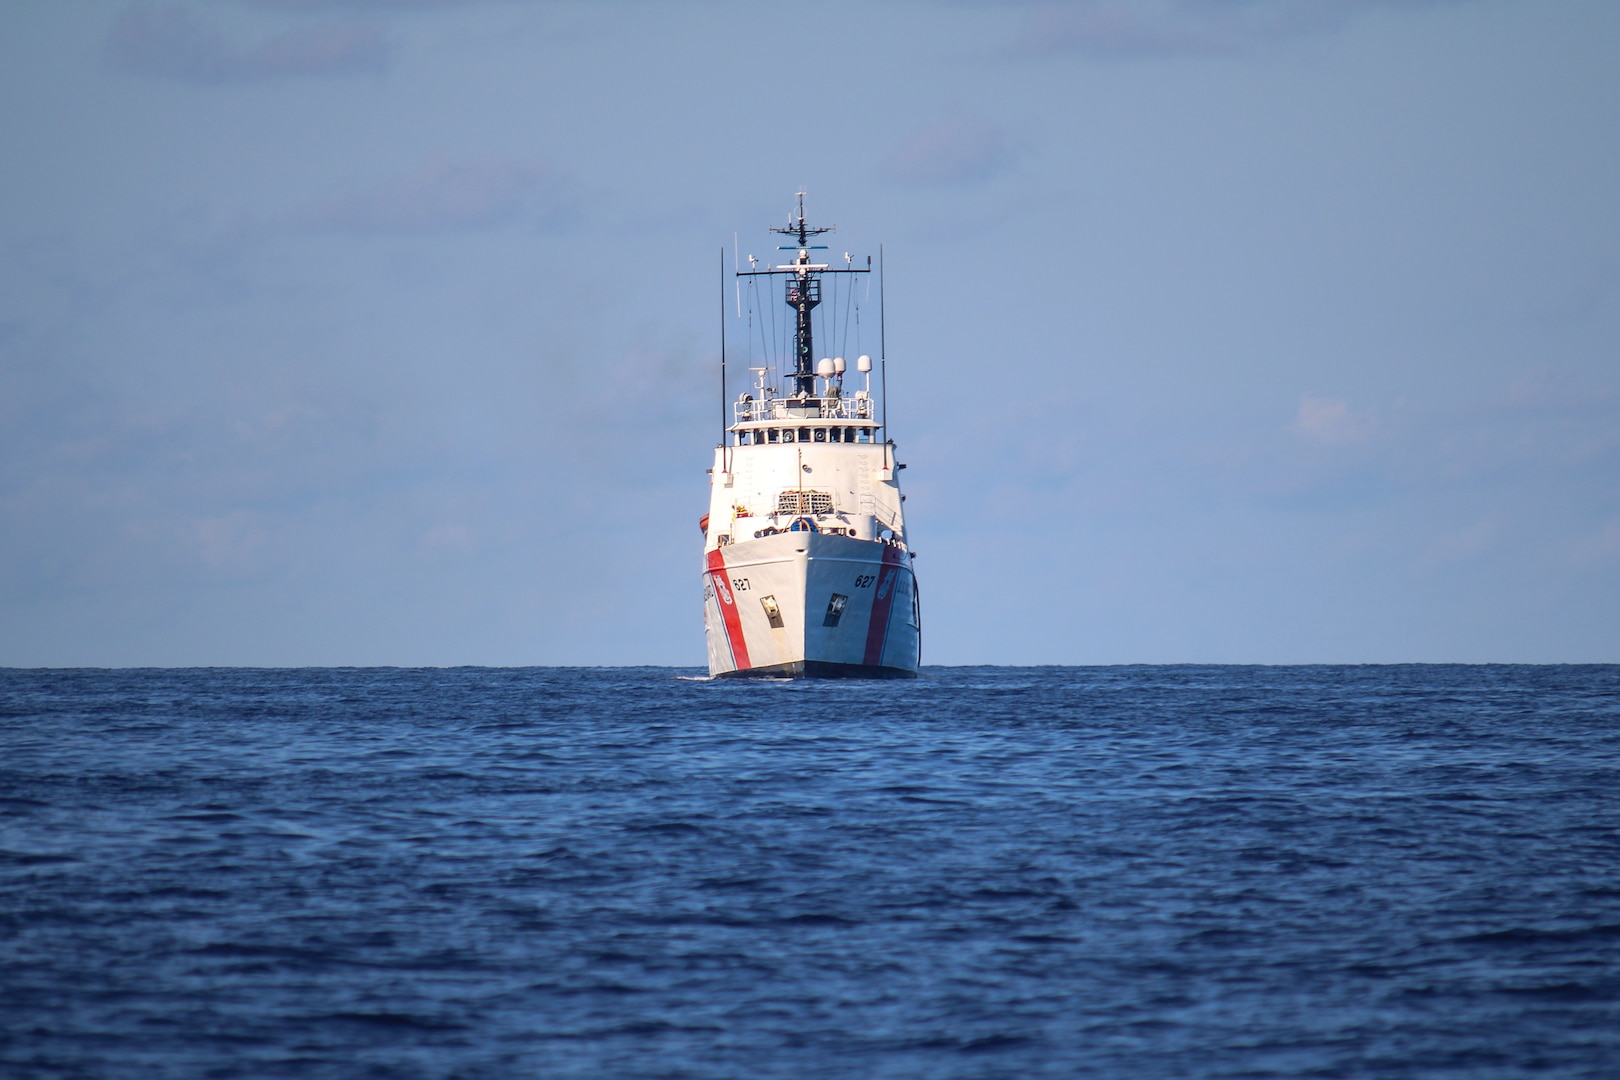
[(173, 41)]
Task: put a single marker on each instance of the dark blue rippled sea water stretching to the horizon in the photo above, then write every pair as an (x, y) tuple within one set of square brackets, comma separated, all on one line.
[(1135, 872)]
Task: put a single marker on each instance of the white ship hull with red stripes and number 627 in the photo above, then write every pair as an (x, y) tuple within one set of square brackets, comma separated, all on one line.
[(809, 605)]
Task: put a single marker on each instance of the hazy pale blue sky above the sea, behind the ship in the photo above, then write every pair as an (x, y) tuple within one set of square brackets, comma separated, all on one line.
[(354, 333)]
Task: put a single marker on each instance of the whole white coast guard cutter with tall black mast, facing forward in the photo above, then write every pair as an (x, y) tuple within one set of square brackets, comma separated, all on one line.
[(808, 568)]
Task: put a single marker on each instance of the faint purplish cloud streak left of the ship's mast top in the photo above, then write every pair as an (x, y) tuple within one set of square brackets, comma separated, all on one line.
[(446, 197)]
